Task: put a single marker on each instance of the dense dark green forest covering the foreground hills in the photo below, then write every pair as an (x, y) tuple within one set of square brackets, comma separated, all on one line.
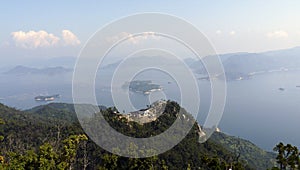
[(50, 137)]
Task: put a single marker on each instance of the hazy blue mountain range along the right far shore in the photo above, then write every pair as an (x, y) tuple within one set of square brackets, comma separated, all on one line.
[(239, 66)]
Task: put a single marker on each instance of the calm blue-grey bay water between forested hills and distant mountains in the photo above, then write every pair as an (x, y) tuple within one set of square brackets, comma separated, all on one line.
[(255, 109)]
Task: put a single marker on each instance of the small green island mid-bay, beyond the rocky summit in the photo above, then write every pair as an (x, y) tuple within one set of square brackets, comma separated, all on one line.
[(142, 86)]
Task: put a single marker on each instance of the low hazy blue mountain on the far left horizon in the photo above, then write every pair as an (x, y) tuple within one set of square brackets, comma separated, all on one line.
[(23, 70)]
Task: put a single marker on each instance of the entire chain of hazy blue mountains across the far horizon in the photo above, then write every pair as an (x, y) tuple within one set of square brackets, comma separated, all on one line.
[(237, 66)]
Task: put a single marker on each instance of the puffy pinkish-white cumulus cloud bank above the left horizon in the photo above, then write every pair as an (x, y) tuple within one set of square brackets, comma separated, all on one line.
[(42, 39)]
